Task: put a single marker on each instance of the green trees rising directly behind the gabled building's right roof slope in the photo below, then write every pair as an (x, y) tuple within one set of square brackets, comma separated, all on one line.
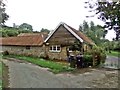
[(95, 32)]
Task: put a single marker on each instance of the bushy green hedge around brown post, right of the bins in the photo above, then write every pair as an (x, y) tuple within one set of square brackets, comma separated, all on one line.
[(96, 56)]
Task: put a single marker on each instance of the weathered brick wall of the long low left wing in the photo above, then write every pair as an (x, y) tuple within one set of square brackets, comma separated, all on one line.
[(21, 50)]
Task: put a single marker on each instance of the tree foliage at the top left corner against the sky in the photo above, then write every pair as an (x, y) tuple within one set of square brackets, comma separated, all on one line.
[(3, 15)]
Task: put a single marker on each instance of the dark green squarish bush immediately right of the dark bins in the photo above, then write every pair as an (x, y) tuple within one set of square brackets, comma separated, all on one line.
[(87, 60)]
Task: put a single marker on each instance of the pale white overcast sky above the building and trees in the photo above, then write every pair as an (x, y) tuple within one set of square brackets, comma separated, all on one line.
[(49, 13)]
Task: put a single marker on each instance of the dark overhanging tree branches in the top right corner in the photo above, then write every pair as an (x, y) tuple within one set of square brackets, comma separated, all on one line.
[(107, 11)]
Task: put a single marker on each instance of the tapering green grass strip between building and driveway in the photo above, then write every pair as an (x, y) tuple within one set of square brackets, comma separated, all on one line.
[(55, 67)]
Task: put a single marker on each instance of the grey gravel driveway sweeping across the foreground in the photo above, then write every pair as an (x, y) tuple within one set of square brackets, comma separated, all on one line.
[(26, 75)]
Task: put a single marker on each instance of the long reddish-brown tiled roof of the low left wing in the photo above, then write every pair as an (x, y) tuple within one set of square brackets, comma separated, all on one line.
[(32, 39)]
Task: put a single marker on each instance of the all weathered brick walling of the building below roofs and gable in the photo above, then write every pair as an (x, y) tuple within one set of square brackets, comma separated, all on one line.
[(39, 51)]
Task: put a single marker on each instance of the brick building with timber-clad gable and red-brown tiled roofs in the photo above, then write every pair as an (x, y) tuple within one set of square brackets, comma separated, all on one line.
[(53, 46)]
